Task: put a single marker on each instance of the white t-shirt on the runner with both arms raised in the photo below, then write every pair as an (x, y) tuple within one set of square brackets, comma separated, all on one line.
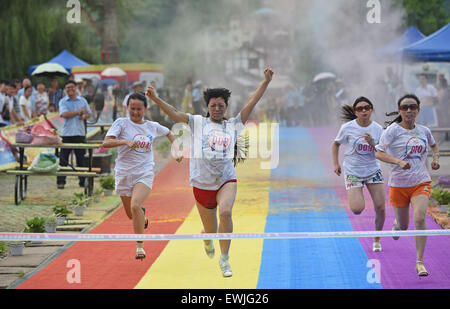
[(212, 151)]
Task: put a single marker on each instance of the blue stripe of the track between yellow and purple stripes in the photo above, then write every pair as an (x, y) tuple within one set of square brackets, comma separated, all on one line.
[(301, 200)]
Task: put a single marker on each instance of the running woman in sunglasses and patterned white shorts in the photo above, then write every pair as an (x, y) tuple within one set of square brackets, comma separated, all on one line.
[(360, 135)]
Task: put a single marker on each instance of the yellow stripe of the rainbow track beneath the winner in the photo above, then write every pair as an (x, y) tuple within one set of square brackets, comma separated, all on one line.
[(184, 265)]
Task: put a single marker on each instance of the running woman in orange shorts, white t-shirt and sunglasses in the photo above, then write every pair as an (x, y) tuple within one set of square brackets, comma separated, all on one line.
[(404, 144)]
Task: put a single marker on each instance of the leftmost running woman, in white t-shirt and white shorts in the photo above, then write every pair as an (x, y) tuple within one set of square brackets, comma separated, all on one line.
[(134, 165)]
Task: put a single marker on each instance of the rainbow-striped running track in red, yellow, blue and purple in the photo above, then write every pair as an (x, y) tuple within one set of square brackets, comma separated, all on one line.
[(300, 195)]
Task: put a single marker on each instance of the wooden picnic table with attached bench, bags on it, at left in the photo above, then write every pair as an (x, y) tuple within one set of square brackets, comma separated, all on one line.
[(22, 173)]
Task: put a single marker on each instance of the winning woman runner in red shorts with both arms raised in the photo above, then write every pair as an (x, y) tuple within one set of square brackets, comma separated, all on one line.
[(212, 172)]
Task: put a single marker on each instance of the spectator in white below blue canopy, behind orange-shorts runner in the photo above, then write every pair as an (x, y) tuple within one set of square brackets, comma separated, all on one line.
[(428, 96)]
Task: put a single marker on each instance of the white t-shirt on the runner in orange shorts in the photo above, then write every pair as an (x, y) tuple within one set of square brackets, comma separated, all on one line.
[(407, 145)]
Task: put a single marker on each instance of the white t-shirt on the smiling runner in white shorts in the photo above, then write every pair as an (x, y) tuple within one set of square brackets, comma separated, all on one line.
[(140, 160)]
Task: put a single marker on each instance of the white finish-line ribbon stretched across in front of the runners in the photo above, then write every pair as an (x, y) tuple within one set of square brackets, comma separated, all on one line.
[(166, 237)]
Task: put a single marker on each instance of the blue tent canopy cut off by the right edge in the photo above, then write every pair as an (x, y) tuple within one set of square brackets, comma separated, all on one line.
[(434, 48)]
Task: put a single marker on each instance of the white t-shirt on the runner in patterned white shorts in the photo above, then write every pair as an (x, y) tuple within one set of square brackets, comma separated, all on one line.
[(359, 156)]
